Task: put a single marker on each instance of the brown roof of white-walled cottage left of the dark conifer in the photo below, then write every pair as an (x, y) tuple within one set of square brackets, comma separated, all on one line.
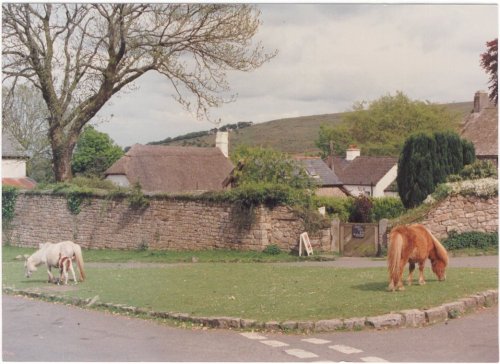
[(363, 170)]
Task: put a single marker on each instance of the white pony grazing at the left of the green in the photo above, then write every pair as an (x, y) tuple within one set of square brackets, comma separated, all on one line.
[(49, 254)]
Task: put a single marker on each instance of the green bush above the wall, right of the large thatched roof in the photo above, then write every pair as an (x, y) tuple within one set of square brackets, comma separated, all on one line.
[(261, 165)]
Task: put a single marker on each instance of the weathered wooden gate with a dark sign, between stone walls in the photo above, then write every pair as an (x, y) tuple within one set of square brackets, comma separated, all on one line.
[(359, 240)]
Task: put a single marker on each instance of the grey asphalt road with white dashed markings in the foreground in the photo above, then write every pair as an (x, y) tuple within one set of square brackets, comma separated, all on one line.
[(41, 331)]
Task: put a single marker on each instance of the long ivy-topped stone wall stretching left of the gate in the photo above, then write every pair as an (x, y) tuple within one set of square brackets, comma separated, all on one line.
[(166, 224)]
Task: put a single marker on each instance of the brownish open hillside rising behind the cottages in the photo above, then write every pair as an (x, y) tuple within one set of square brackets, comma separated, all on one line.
[(290, 135)]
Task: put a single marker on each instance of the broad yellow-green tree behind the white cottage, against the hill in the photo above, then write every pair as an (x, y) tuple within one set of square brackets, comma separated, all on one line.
[(381, 127)]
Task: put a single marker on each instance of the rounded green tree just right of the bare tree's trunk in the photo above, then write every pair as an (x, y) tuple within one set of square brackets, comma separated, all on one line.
[(94, 153)]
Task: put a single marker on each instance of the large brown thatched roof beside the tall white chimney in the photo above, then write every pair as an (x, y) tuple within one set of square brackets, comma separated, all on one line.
[(167, 169)]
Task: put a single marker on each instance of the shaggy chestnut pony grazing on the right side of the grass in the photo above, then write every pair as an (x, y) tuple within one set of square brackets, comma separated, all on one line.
[(414, 244)]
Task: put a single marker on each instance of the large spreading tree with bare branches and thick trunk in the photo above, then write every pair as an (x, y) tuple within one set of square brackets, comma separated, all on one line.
[(79, 55)]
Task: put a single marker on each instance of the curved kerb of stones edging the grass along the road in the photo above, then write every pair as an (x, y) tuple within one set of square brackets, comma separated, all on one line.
[(404, 318)]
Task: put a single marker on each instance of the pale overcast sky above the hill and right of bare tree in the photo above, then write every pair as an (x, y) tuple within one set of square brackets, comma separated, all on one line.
[(330, 56)]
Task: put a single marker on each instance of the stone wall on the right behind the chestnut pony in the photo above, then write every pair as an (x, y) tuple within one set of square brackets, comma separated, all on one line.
[(461, 214)]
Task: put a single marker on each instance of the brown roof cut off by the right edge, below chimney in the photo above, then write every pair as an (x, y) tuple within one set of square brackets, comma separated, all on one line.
[(481, 128)]
